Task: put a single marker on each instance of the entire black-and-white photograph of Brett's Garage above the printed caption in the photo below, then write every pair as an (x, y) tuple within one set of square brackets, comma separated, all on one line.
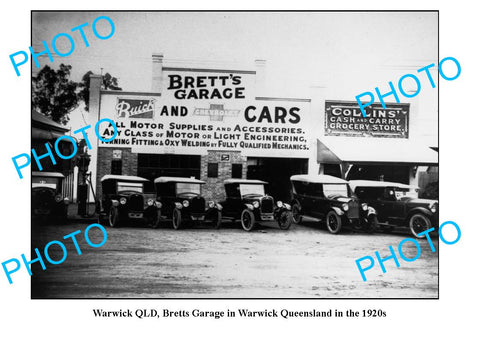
[(235, 154)]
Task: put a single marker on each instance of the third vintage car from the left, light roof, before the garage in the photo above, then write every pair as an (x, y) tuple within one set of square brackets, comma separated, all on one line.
[(182, 202)]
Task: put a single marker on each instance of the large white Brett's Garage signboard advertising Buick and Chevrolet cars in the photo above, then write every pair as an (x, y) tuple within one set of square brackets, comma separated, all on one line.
[(201, 111)]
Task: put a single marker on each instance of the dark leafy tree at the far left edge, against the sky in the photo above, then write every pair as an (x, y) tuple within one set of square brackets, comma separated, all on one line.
[(54, 94)]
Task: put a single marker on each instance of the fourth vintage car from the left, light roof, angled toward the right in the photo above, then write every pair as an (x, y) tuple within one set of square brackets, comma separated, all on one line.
[(246, 201)]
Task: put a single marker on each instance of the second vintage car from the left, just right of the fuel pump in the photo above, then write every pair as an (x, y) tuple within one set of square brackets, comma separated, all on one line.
[(124, 200)]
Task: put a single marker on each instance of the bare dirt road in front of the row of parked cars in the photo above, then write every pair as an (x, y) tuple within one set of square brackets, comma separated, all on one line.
[(303, 262)]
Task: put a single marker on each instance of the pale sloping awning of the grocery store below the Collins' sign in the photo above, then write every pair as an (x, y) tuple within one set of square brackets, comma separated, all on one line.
[(335, 150)]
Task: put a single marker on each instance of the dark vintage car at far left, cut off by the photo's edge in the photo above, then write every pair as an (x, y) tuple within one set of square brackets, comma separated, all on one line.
[(47, 198)]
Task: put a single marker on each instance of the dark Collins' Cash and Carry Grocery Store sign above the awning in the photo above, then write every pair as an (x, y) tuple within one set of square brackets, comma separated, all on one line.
[(344, 118)]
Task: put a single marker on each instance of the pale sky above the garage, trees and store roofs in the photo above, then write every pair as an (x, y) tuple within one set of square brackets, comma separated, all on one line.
[(346, 52)]
